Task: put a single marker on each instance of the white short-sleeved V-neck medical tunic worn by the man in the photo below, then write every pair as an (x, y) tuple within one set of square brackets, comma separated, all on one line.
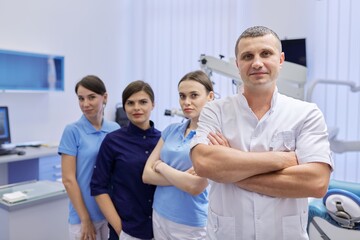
[(289, 125)]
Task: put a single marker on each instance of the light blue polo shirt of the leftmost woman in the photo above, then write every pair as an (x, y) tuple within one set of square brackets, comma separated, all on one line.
[(82, 140)]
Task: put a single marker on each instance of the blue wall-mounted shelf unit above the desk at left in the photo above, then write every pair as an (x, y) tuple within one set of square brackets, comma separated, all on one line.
[(22, 71)]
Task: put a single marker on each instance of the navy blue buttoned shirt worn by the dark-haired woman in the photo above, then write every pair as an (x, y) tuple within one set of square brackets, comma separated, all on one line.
[(118, 172)]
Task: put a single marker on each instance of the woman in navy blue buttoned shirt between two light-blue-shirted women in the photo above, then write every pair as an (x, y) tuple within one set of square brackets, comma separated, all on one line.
[(120, 164)]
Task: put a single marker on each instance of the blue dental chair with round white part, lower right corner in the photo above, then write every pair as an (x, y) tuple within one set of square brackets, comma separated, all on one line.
[(337, 215)]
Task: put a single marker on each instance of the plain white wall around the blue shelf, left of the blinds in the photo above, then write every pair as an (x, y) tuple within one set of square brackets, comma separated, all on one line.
[(87, 33)]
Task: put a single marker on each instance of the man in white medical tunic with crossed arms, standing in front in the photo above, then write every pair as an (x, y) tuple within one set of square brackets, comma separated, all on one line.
[(265, 153)]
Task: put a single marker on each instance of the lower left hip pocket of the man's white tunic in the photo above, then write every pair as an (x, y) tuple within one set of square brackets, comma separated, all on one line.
[(220, 227)]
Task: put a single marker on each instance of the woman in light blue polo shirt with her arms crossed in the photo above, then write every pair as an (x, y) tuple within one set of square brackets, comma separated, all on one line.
[(180, 200)]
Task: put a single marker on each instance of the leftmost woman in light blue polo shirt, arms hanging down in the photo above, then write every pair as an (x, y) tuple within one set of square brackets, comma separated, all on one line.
[(78, 147)]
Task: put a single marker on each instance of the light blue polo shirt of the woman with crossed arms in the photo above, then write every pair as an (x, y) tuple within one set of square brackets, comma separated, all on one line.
[(169, 201)]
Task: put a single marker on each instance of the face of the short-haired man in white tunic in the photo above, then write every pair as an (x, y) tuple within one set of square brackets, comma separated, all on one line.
[(259, 61)]
